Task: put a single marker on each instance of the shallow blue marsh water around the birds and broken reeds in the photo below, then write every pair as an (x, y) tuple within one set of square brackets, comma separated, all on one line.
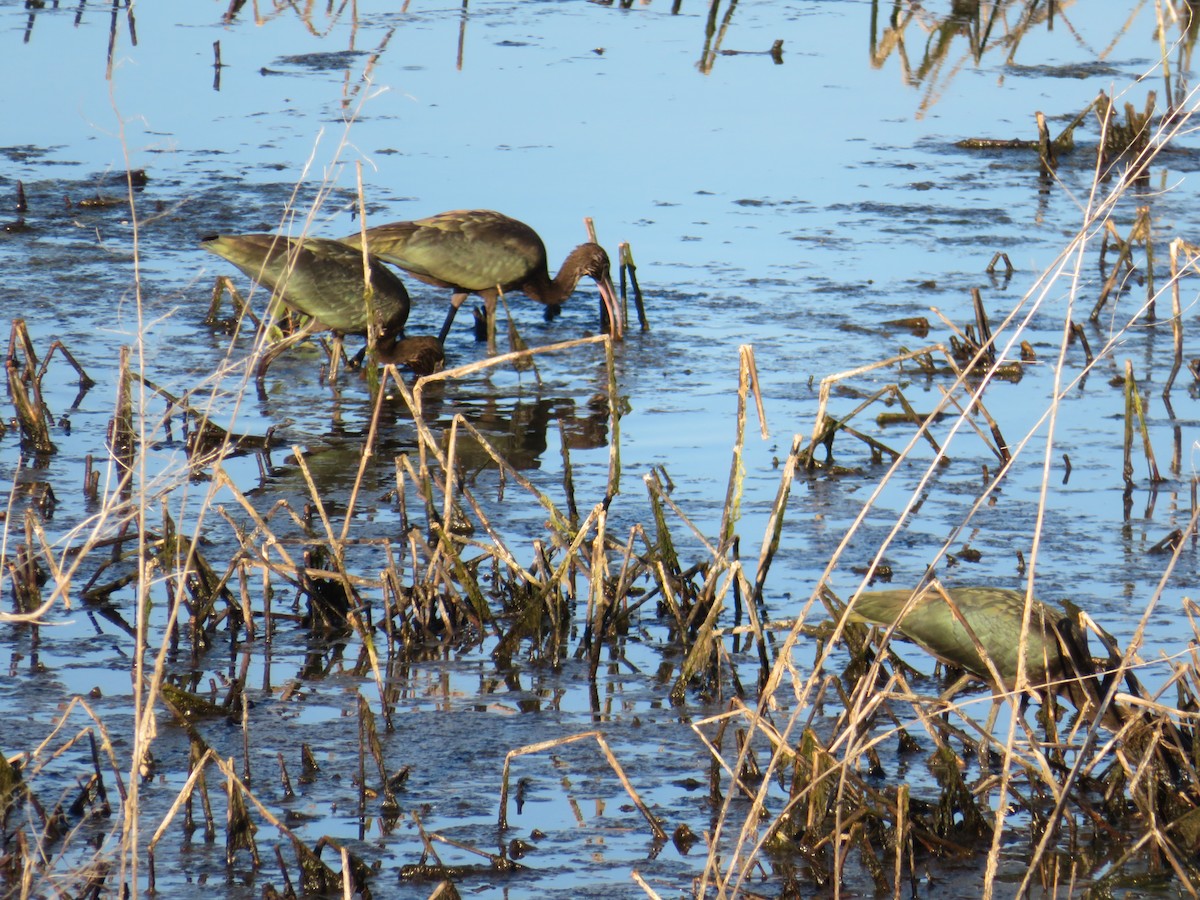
[(796, 207)]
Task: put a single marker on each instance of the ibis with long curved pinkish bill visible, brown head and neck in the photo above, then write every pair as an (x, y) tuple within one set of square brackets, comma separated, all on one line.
[(478, 251)]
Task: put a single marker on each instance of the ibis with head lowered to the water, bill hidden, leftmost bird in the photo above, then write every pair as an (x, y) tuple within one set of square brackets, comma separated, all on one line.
[(323, 279)]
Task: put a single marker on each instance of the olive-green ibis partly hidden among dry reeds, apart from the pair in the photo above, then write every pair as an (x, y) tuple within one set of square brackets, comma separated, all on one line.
[(1057, 656)]
